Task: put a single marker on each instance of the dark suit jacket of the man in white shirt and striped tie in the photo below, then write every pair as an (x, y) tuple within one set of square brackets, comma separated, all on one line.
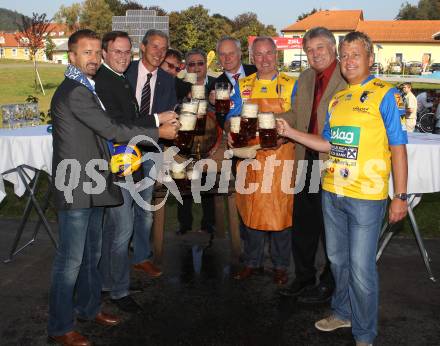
[(164, 98)]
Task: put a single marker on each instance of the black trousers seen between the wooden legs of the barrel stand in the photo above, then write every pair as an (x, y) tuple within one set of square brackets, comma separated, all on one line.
[(184, 213)]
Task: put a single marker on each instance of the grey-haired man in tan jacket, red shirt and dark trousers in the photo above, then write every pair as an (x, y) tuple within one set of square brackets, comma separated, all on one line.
[(316, 87)]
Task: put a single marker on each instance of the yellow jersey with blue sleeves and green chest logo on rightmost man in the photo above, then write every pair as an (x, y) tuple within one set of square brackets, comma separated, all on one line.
[(362, 121)]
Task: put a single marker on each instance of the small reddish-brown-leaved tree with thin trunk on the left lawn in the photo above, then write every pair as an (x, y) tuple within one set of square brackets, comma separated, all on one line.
[(32, 35)]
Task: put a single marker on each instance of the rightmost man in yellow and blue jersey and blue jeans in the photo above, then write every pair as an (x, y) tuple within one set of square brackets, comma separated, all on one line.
[(364, 137)]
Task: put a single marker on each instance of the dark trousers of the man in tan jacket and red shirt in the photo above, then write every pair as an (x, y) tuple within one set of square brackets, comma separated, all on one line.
[(308, 227)]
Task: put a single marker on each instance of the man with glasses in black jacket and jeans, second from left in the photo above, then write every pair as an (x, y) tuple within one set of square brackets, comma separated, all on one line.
[(120, 103)]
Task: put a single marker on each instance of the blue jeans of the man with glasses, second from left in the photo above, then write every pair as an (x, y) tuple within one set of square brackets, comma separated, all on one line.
[(115, 265)]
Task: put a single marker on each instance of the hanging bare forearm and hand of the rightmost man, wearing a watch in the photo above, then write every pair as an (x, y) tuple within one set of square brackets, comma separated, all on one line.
[(399, 161)]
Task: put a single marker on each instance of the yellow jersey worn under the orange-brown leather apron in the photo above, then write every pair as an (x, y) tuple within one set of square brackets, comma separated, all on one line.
[(250, 87)]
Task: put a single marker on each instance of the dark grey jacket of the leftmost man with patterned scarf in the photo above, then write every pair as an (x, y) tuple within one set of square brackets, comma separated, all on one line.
[(80, 133)]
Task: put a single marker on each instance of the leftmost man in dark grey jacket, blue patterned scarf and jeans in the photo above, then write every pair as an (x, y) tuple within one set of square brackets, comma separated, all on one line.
[(83, 187)]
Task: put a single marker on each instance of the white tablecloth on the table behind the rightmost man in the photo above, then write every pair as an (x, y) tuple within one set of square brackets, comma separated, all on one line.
[(423, 163)]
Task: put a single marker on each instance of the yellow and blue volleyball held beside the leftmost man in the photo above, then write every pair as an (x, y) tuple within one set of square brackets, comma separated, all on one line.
[(125, 160)]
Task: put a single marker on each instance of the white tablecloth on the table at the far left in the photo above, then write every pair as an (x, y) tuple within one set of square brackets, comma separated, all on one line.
[(31, 146)]
